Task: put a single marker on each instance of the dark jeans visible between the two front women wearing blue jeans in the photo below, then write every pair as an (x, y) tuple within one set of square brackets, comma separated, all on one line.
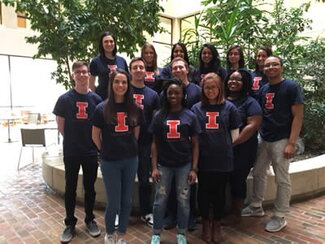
[(145, 187)]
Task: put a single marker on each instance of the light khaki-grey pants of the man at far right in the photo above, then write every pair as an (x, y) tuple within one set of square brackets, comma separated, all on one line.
[(272, 153)]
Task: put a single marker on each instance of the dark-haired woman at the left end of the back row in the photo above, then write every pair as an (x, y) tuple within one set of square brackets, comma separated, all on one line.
[(105, 63)]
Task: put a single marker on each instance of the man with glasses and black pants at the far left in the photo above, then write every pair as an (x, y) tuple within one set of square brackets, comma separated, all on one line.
[(74, 111)]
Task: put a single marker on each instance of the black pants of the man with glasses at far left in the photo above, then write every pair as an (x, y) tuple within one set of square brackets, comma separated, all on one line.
[(89, 168)]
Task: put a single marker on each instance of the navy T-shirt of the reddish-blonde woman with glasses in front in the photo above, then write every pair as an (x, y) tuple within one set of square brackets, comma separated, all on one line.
[(216, 121)]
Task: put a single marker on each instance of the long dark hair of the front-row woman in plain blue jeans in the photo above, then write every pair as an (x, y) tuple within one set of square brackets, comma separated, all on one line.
[(110, 105)]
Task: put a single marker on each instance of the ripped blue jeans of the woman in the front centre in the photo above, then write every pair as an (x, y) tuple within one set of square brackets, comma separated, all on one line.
[(162, 193)]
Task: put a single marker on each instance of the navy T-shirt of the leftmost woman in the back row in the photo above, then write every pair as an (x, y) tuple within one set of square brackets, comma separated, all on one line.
[(101, 66)]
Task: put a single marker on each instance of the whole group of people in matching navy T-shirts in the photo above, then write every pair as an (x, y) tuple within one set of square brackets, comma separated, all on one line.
[(178, 125)]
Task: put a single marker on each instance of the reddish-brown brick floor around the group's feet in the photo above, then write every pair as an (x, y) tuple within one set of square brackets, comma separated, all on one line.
[(32, 213)]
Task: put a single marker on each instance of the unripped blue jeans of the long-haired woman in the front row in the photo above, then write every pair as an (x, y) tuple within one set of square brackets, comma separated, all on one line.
[(119, 179)]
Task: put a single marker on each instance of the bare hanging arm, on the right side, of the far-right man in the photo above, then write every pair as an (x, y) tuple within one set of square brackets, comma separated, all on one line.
[(297, 111)]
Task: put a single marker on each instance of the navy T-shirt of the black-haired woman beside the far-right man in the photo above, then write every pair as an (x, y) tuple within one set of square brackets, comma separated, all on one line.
[(245, 153)]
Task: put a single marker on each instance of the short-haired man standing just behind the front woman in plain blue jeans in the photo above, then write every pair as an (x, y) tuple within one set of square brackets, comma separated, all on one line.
[(148, 100)]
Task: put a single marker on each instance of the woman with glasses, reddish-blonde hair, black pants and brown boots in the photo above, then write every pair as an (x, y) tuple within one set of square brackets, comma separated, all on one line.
[(219, 121)]
